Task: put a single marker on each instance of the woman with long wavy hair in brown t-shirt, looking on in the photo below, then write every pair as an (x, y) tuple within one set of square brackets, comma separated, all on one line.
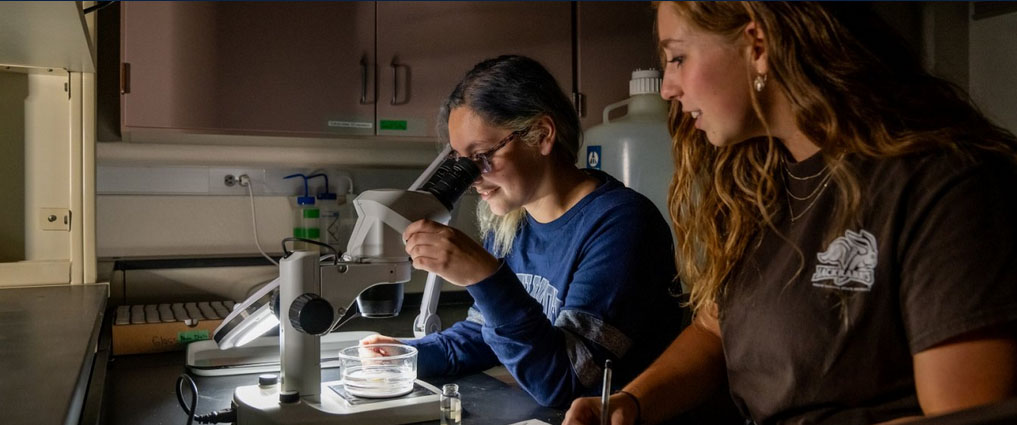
[(845, 220)]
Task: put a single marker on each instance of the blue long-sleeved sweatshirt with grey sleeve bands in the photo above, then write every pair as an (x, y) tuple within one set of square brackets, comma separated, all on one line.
[(597, 283)]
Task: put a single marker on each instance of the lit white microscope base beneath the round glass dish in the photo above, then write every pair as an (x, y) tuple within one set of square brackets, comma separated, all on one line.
[(260, 405)]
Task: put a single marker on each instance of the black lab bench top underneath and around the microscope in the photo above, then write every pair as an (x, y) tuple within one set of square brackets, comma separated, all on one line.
[(141, 389)]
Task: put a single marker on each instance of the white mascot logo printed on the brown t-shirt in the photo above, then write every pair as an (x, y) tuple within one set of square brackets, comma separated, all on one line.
[(849, 259)]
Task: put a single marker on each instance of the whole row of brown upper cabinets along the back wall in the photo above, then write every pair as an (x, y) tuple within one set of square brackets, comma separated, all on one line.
[(322, 70)]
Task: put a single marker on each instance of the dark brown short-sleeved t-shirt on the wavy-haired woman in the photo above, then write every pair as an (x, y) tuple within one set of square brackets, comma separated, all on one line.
[(828, 335)]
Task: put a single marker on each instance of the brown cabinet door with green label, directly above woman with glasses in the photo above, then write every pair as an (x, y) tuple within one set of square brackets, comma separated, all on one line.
[(426, 48)]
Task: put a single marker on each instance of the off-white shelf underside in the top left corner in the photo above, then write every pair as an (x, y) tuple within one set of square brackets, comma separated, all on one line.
[(46, 34)]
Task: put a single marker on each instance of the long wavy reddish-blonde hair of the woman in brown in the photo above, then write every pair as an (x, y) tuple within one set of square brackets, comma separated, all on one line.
[(856, 91)]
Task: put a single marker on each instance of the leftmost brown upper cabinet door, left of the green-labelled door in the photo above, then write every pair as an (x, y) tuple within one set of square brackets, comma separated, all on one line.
[(249, 68)]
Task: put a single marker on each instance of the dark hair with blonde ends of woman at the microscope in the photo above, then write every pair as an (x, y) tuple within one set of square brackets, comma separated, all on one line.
[(514, 93)]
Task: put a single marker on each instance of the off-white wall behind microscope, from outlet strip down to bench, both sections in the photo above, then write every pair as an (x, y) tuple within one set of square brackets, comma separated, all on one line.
[(189, 212)]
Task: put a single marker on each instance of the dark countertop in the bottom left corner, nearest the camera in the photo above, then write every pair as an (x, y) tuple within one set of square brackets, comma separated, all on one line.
[(48, 339)]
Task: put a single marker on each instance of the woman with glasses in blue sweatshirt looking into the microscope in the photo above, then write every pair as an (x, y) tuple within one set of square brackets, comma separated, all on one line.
[(575, 268)]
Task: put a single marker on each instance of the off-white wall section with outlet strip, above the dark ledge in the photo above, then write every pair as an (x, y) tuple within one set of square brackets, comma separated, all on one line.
[(191, 212)]
